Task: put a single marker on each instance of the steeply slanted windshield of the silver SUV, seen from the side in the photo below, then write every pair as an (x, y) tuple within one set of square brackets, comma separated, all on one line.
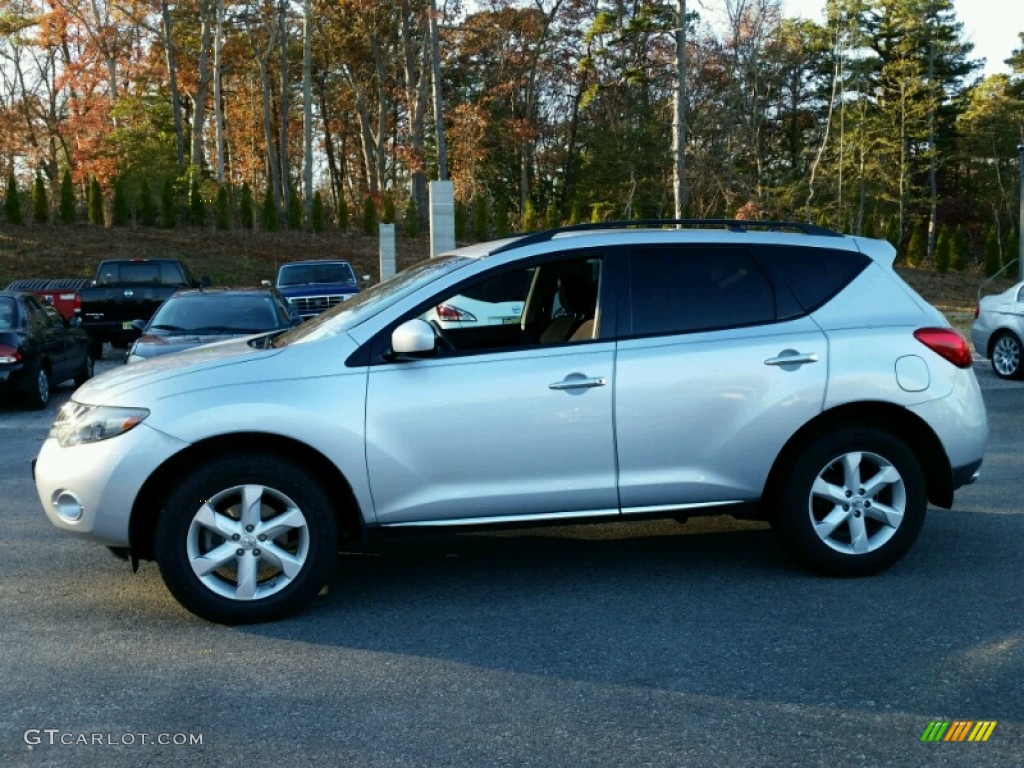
[(366, 305)]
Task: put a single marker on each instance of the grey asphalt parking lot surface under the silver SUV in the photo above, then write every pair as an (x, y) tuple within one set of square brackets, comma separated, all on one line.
[(658, 645)]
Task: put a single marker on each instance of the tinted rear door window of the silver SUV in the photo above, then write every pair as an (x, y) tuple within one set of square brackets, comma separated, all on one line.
[(679, 290)]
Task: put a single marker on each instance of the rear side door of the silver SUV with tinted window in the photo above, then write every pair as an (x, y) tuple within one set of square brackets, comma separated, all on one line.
[(713, 377)]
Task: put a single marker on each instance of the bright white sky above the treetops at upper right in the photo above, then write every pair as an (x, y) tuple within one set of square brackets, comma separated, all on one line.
[(992, 25)]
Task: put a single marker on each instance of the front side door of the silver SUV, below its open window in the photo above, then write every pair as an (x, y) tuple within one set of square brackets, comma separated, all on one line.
[(516, 433)]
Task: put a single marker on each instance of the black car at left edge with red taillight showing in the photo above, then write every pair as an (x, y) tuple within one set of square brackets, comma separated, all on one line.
[(38, 349)]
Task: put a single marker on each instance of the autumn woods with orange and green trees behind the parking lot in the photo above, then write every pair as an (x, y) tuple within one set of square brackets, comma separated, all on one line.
[(313, 114)]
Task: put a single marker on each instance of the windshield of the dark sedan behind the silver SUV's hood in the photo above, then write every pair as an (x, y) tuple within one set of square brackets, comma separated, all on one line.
[(216, 314)]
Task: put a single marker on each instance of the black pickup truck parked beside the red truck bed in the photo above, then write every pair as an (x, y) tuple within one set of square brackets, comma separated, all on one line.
[(126, 290)]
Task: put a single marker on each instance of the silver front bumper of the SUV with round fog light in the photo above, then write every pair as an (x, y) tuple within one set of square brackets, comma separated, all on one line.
[(99, 483)]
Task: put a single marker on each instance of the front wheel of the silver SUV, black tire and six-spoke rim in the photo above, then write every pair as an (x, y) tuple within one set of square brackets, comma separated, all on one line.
[(219, 596)]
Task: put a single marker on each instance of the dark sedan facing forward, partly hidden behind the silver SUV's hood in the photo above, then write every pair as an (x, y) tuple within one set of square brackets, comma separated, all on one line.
[(191, 319)]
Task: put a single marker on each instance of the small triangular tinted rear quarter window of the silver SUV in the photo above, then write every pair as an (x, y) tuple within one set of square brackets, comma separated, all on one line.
[(816, 275)]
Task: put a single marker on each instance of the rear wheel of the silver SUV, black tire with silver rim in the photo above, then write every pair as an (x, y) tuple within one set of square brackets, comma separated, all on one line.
[(847, 528)]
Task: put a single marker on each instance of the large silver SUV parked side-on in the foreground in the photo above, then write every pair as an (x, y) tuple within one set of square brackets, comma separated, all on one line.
[(773, 371)]
